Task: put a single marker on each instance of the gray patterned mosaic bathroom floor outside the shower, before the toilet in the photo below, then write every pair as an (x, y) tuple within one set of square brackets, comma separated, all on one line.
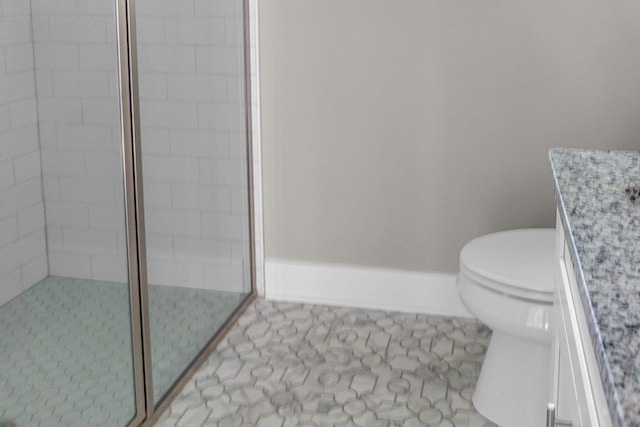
[(288, 364)]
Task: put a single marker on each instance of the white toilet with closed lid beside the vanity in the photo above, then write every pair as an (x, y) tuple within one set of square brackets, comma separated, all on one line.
[(506, 280)]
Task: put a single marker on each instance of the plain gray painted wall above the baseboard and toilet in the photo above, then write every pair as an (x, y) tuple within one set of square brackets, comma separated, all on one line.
[(394, 132)]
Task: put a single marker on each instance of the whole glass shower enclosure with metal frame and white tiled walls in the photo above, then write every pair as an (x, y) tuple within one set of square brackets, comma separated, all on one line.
[(126, 242)]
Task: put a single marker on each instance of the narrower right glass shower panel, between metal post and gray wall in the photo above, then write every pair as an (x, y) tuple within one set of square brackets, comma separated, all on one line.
[(191, 73)]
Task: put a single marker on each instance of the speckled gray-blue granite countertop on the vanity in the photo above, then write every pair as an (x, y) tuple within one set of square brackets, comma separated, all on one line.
[(603, 226)]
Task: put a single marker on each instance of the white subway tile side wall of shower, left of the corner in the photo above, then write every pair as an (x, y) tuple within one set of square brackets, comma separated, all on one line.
[(23, 256)]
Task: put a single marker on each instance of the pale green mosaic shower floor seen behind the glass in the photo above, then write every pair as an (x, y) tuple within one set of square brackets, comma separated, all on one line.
[(65, 348)]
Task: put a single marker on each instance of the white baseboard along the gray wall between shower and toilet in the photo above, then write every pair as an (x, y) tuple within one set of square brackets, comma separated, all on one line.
[(364, 287)]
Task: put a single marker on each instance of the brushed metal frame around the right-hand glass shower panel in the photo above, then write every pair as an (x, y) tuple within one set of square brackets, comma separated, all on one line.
[(146, 411)]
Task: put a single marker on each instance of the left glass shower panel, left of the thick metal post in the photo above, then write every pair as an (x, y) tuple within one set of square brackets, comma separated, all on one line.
[(65, 313)]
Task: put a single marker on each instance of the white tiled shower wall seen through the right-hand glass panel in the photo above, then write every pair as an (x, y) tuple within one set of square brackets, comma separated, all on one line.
[(191, 104)]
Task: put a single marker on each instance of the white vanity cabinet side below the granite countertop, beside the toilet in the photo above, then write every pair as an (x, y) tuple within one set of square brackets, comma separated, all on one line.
[(577, 391)]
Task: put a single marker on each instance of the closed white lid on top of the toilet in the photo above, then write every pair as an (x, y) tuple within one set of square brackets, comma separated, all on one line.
[(519, 259)]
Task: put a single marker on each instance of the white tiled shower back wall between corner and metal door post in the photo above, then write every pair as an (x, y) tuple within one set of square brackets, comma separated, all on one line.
[(75, 55)]
